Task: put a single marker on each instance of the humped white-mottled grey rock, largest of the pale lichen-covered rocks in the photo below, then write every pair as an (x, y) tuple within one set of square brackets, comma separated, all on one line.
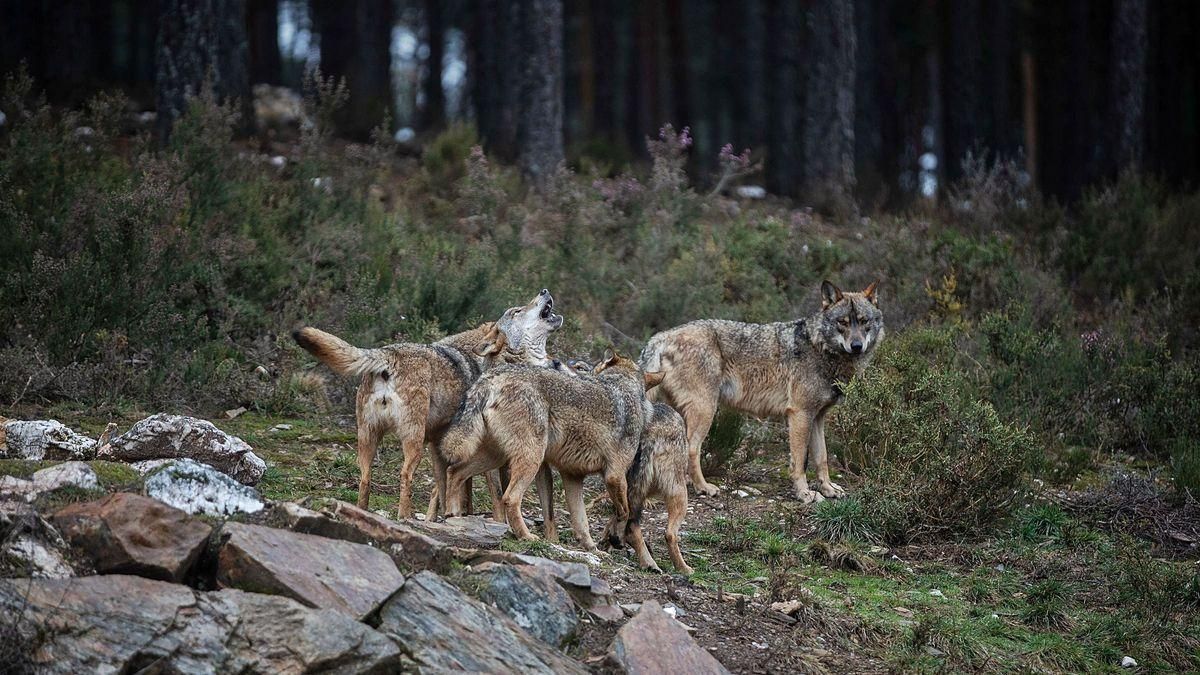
[(161, 437)]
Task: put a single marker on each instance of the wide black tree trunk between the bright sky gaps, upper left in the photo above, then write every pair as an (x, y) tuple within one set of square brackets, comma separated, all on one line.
[(356, 45)]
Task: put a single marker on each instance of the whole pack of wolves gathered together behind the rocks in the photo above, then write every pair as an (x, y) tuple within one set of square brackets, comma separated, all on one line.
[(493, 402)]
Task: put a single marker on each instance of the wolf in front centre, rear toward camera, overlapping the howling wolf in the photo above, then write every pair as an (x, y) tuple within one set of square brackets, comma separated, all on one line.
[(524, 416)]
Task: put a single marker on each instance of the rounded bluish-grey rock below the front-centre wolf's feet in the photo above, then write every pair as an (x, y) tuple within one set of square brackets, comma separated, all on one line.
[(531, 598)]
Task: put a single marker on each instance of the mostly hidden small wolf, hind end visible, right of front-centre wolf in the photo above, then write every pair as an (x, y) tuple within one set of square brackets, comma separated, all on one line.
[(659, 470)]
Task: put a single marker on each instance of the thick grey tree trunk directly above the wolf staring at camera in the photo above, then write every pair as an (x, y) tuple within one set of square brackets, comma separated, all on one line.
[(829, 140)]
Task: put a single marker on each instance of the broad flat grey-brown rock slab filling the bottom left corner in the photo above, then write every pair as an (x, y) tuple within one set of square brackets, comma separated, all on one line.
[(154, 626)]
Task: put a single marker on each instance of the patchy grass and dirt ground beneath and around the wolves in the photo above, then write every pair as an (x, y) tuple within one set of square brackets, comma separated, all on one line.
[(1019, 600)]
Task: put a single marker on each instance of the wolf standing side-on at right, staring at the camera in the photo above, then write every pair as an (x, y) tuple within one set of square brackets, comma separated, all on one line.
[(789, 371)]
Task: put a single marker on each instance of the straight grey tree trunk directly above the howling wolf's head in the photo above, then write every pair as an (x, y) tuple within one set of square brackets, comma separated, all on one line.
[(541, 122)]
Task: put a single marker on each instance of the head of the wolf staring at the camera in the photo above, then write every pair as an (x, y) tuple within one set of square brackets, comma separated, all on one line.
[(849, 324)]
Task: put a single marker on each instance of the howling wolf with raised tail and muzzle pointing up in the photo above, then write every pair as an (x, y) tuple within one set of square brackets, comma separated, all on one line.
[(413, 390)]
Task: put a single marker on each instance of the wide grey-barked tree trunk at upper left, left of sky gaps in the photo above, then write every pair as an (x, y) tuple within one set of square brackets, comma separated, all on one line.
[(201, 41)]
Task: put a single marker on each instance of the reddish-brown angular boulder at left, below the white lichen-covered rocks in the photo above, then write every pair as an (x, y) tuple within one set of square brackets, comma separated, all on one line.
[(128, 534)]
